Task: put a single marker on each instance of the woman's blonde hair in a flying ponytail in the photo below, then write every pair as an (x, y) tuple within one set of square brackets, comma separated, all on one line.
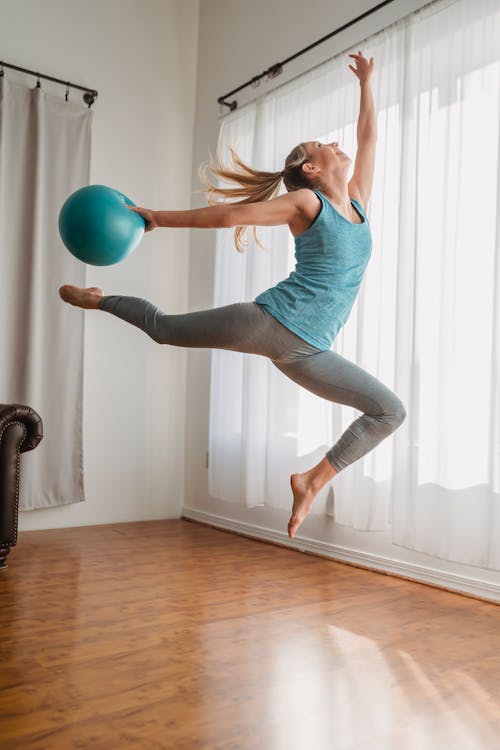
[(253, 185)]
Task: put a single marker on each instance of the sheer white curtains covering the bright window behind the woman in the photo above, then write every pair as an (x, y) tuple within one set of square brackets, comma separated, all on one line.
[(426, 321)]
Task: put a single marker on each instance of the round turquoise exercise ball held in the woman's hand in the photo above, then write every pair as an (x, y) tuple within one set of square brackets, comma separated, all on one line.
[(97, 227)]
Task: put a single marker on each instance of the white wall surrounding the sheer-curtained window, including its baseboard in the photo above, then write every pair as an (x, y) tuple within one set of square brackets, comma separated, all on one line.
[(237, 40)]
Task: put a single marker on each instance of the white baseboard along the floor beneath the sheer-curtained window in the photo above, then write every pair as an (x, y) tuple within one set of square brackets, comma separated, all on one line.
[(457, 584)]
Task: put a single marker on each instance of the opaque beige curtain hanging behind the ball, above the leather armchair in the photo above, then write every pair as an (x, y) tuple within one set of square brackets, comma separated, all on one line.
[(44, 156)]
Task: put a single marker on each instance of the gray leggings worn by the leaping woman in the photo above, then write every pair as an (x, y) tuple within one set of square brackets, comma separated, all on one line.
[(248, 327)]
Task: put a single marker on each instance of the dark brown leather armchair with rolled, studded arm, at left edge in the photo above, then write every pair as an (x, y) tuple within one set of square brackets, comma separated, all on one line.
[(20, 430)]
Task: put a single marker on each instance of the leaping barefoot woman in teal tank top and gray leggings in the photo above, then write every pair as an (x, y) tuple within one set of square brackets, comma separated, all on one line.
[(295, 322)]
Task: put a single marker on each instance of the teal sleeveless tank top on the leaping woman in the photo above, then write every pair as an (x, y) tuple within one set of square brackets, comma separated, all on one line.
[(315, 300)]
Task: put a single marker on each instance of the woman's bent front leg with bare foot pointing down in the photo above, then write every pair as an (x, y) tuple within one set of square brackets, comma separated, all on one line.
[(331, 376)]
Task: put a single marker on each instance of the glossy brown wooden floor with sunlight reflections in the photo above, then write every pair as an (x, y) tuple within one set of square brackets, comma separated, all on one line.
[(179, 636)]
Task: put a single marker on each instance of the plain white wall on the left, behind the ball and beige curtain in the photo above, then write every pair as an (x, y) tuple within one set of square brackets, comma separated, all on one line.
[(141, 57)]
